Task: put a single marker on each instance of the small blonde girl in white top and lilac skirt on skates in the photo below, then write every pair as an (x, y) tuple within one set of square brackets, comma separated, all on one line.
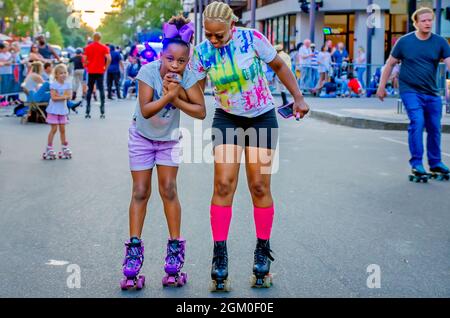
[(57, 110)]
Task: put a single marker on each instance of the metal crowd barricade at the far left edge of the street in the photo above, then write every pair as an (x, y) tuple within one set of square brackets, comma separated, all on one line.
[(11, 79)]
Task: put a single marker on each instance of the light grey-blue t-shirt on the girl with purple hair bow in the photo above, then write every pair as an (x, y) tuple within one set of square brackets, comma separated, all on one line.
[(164, 125)]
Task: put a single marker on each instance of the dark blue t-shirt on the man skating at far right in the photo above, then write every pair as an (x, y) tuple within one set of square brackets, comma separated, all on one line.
[(420, 60)]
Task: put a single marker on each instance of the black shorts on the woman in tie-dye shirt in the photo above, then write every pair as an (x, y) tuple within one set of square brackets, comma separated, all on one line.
[(261, 131)]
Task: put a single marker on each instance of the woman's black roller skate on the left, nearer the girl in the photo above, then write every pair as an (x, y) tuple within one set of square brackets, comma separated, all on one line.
[(219, 269)]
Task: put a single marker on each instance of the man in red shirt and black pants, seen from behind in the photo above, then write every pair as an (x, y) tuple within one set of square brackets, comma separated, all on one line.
[(96, 60)]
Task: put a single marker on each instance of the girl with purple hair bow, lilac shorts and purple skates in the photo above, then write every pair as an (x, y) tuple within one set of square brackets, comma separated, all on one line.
[(165, 88)]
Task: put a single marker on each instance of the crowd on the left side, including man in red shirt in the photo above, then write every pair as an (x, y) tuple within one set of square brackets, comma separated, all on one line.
[(32, 73)]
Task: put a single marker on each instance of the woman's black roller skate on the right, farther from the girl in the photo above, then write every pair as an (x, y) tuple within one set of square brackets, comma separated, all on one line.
[(261, 268)]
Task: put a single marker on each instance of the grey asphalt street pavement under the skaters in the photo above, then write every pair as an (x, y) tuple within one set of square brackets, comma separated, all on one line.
[(342, 198)]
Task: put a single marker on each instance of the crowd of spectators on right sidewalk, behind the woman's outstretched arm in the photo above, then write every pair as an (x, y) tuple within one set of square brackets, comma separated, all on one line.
[(329, 72)]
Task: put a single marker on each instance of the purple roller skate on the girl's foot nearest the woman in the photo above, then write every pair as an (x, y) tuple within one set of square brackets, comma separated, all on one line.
[(174, 263)]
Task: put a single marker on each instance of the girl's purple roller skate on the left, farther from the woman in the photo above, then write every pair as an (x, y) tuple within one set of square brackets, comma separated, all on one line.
[(132, 264)]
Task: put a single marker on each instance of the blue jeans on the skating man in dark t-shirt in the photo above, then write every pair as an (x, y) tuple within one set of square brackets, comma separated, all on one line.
[(424, 111)]
